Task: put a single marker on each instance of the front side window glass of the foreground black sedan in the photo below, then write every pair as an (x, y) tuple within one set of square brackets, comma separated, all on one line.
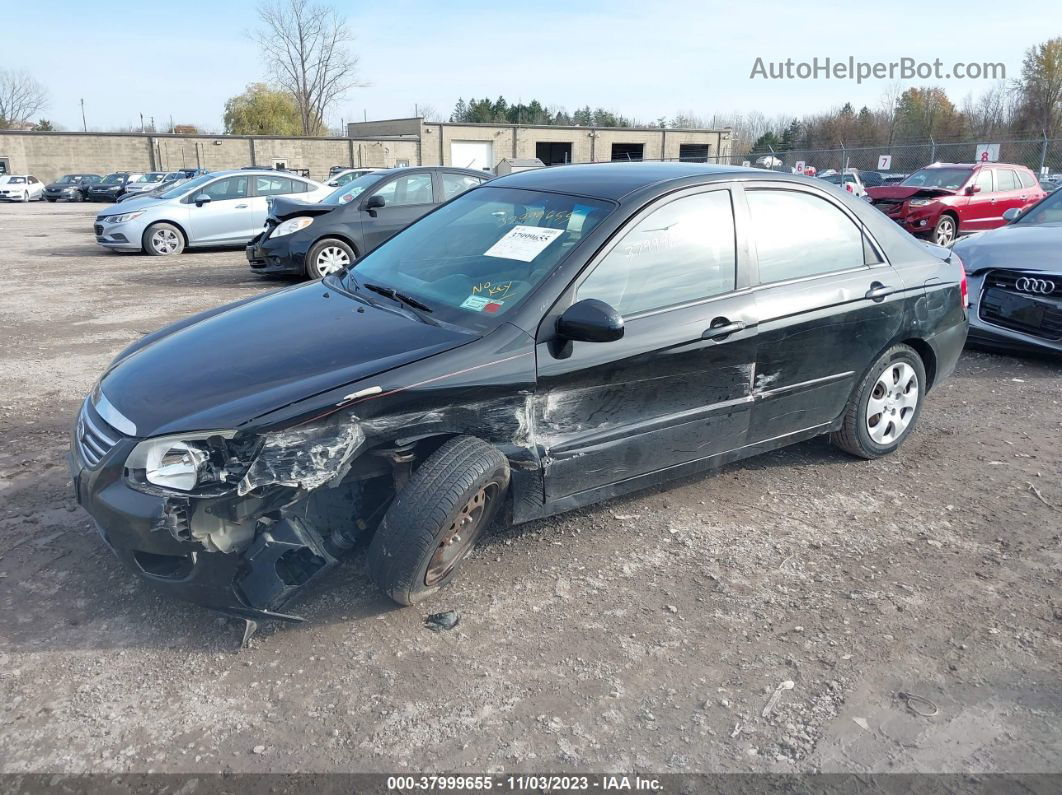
[(683, 252)]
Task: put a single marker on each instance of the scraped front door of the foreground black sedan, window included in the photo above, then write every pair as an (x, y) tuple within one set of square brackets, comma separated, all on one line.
[(677, 388)]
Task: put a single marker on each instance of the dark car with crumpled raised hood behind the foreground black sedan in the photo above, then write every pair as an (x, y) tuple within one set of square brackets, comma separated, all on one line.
[(317, 240)]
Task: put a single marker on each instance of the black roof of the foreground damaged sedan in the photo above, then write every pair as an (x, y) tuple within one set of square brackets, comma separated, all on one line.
[(613, 181)]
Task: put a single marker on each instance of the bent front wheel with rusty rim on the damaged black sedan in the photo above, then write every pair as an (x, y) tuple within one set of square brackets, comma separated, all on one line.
[(434, 523)]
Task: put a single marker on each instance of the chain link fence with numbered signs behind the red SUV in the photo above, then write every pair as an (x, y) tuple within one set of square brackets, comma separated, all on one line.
[(906, 159)]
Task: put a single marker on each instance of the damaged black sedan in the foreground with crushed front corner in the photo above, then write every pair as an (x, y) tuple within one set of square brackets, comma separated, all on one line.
[(546, 341)]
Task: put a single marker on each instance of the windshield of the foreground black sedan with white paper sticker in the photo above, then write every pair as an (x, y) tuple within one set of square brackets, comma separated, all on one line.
[(483, 253)]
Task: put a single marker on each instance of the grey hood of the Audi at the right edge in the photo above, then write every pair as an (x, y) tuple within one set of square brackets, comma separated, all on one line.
[(1018, 247)]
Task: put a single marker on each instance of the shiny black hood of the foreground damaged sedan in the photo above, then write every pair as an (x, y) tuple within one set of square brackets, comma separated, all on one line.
[(232, 367)]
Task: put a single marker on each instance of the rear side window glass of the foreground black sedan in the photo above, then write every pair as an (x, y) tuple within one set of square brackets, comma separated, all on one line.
[(781, 221)]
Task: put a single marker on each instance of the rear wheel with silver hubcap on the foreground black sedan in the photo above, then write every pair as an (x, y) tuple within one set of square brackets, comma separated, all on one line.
[(885, 407)]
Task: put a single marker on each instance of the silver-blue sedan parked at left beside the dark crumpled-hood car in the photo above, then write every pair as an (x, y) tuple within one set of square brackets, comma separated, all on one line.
[(225, 209)]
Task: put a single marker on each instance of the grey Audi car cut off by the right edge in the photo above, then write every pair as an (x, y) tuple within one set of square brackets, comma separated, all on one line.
[(1016, 281)]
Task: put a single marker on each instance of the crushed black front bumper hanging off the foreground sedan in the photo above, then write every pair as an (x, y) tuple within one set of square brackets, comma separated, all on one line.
[(152, 537)]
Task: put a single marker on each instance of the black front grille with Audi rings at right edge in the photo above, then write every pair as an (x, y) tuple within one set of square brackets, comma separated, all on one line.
[(1005, 304)]
